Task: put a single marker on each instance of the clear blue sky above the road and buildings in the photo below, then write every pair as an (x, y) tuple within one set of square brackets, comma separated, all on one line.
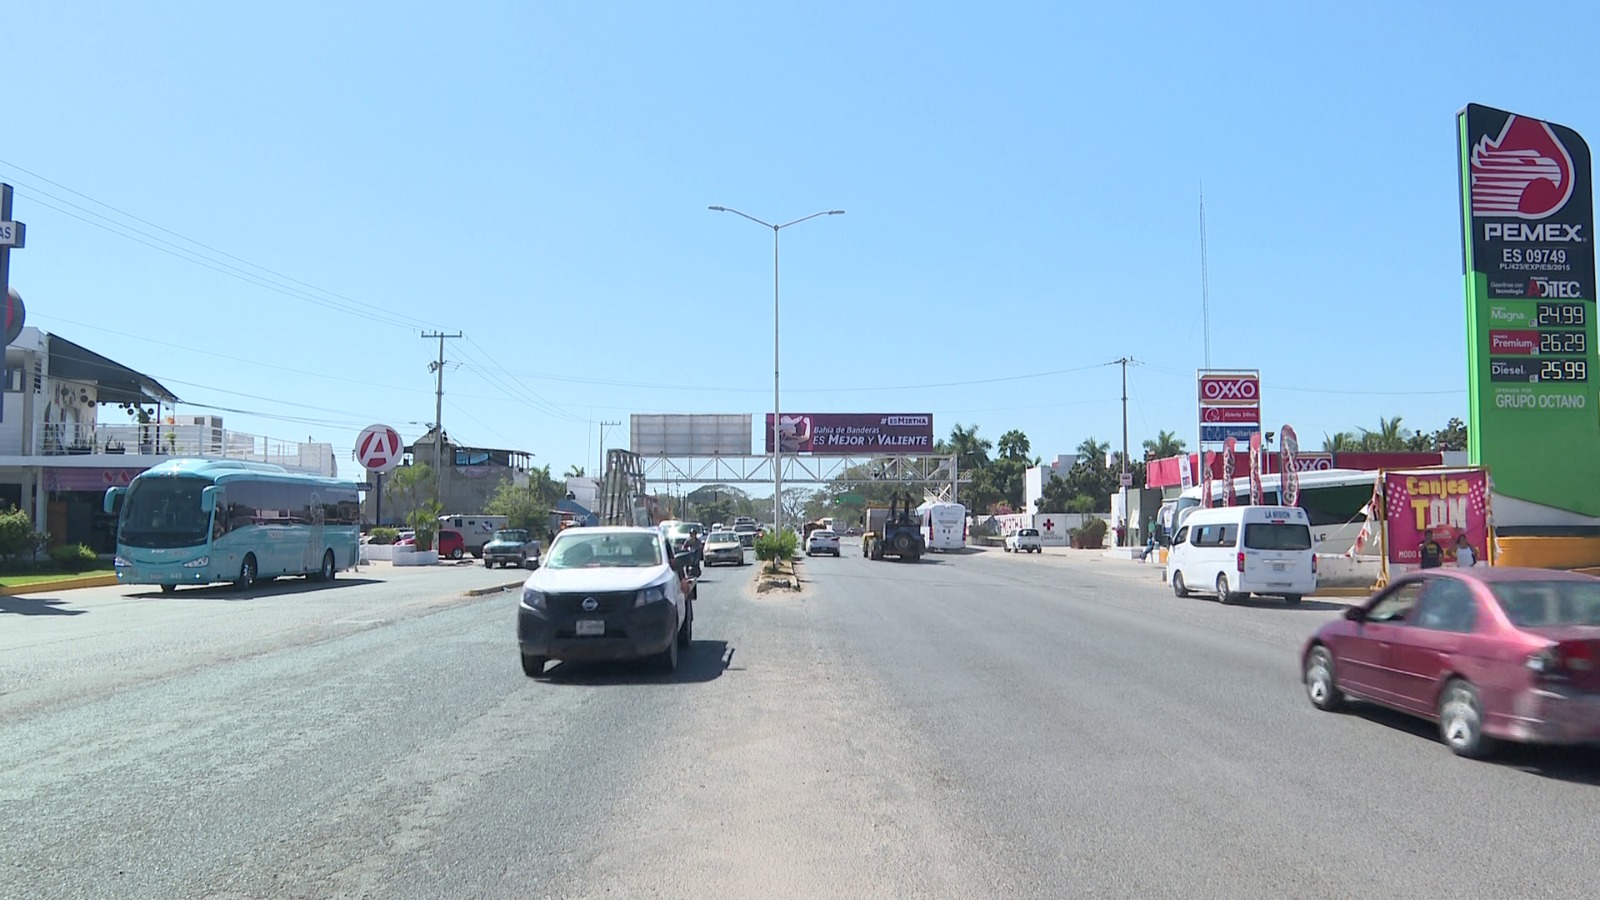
[(1022, 188)]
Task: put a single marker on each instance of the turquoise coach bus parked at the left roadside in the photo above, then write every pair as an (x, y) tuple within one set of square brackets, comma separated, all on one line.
[(207, 521)]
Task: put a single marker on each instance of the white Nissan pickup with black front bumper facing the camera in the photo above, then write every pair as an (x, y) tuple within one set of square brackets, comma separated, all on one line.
[(609, 593)]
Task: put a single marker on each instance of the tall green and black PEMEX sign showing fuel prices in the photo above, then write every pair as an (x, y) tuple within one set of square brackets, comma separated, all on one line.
[(1527, 214)]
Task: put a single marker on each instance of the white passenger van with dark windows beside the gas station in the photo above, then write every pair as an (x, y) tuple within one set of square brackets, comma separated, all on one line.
[(1236, 552)]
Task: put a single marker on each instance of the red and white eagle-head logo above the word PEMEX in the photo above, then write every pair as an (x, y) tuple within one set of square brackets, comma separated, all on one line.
[(1524, 174)]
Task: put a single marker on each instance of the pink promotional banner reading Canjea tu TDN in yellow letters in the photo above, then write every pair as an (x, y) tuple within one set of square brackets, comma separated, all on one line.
[(1439, 504)]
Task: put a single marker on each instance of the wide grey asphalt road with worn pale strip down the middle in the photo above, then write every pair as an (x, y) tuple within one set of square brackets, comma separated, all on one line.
[(969, 726)]
